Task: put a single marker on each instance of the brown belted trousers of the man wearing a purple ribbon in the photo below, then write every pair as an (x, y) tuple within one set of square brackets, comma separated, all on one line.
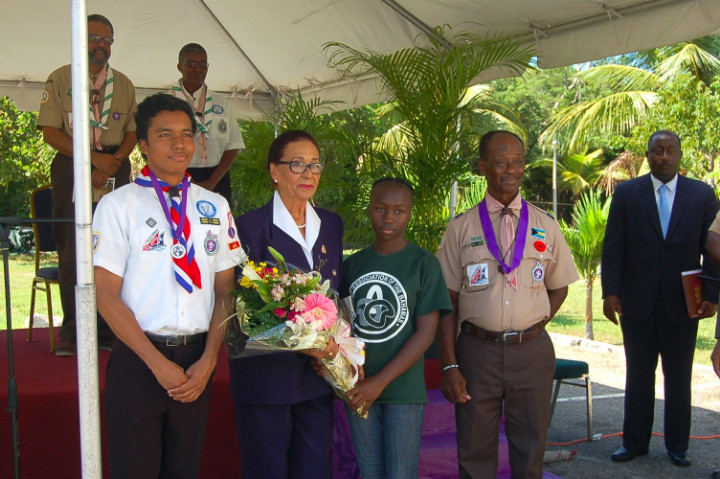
[(517, 378)]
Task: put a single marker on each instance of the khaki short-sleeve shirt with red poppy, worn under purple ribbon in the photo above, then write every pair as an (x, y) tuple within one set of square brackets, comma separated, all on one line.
[(484, 299)]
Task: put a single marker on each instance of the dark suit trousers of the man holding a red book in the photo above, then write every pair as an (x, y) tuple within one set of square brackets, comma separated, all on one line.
[(674, 342)]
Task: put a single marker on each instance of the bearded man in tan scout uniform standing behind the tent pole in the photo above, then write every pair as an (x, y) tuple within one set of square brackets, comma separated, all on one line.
[(112, 104)]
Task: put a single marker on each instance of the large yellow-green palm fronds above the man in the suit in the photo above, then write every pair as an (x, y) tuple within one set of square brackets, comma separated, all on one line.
[(631, 91)]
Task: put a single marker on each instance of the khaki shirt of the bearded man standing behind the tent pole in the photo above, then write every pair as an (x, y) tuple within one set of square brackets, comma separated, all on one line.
[(56, 106)]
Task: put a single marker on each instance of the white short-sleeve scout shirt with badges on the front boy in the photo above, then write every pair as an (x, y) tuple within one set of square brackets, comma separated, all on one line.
[(132, 239)]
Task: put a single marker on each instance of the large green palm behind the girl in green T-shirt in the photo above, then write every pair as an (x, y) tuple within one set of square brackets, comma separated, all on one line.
[(433, 109)]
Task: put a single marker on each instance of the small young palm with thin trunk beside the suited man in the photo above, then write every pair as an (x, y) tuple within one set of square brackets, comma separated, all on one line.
[(585, 238)]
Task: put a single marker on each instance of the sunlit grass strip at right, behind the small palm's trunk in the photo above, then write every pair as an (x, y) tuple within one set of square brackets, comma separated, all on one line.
[(570, 320)]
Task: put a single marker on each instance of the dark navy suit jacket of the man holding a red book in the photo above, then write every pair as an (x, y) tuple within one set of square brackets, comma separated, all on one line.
[(638, 264)]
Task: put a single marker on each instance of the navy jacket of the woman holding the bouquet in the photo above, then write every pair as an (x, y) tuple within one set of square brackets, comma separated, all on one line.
[(284, 378)]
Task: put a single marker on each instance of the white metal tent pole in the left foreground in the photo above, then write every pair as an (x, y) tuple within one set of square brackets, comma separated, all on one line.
[(88, 382)]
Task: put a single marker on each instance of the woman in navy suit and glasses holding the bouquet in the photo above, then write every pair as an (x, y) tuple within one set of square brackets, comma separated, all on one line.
[(283, 410)]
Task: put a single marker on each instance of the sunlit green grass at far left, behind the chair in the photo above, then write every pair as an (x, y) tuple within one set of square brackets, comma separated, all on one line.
[(22, 272)]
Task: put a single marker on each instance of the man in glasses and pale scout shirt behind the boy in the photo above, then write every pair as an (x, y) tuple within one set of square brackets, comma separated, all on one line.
[(218, 138)]
